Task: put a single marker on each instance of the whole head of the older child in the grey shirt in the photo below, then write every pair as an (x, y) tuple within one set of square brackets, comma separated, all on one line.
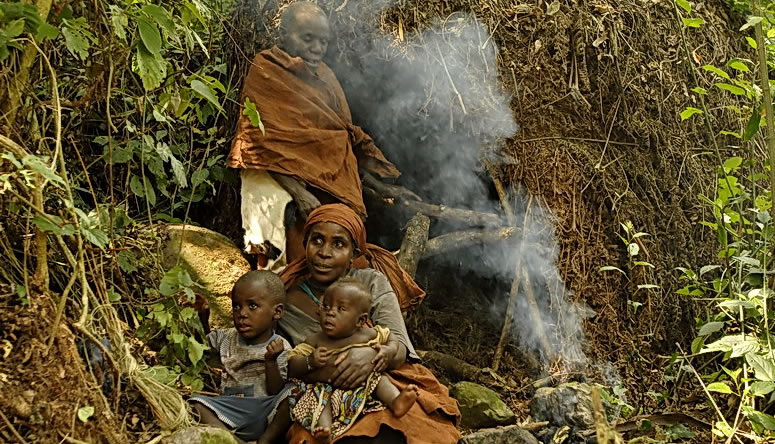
[(257, 300)]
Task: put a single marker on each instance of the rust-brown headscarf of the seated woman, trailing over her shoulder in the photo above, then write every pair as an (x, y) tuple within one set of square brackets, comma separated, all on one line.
[(408, 292)]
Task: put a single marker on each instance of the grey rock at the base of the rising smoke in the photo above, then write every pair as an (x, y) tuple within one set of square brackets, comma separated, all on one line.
[(567, 404)]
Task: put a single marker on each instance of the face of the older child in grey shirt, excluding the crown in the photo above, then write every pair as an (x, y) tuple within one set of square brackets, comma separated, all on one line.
[(253, 312)]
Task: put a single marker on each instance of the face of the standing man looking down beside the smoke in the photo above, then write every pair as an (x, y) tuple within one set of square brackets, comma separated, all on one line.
[(306, 36)]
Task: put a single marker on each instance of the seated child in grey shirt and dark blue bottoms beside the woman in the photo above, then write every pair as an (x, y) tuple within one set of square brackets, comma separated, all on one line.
[(255, 360)]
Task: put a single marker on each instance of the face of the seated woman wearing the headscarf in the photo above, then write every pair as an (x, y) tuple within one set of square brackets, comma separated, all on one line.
[(329, 252)]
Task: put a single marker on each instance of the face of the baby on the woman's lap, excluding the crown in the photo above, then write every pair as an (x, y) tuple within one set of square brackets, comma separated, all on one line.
[(341, 312)]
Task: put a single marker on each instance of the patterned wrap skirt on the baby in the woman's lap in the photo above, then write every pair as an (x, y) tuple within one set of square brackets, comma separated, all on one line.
[(308, 400)]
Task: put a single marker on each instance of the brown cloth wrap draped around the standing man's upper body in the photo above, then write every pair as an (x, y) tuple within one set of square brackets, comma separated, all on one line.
[(309, 129)]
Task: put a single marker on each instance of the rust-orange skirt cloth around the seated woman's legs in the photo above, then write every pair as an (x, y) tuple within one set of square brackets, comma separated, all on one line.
[(432, 419)]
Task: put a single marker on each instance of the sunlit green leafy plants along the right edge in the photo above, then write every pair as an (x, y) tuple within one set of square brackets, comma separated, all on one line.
[(735, 332)]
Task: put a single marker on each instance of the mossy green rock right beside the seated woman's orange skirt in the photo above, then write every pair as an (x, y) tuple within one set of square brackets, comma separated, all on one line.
[(480, 406)]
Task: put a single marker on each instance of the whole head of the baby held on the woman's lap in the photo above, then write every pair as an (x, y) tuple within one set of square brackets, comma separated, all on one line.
[(344, 308)]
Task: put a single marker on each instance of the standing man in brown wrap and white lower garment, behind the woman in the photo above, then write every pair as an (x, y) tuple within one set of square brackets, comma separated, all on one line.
[(309, 150)]
